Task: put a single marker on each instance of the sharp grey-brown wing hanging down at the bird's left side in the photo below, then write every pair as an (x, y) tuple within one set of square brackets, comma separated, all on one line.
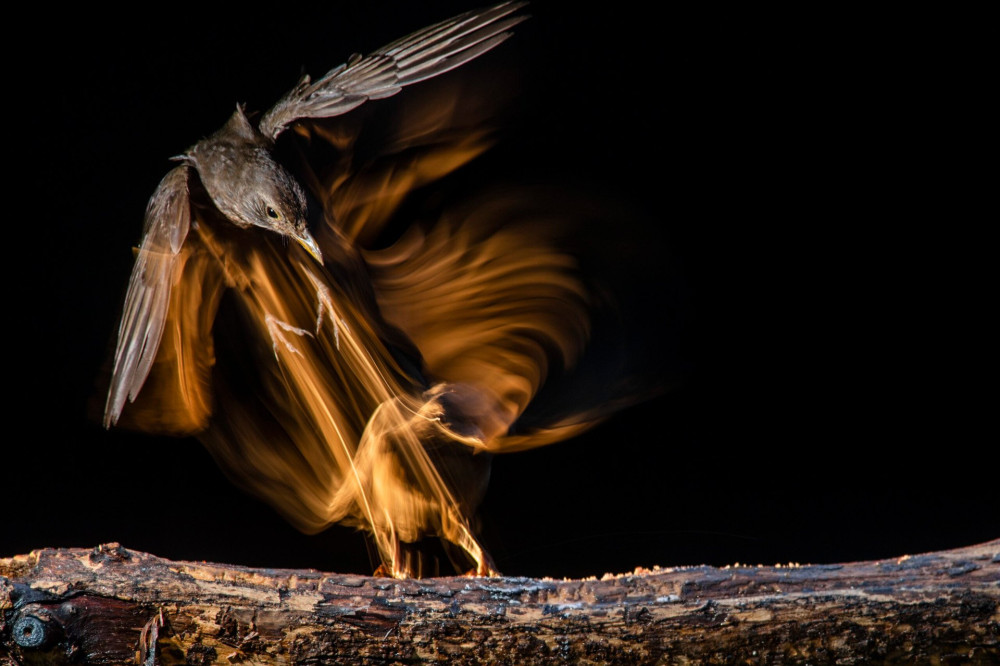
[(168, 219)]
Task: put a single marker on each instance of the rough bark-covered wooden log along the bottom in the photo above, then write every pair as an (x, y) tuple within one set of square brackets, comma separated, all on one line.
[(110, 605)]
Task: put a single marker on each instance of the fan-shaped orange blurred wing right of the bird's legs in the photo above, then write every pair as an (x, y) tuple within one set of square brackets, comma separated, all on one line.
[(491, 303)]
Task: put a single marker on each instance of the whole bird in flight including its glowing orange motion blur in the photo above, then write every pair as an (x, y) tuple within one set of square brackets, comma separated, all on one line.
[(341, 383)]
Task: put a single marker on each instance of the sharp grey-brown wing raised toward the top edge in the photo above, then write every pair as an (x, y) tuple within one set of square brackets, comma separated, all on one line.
[(422, 55)]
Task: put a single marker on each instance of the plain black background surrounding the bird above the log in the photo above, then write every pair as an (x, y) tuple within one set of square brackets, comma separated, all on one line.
[(806, 259)]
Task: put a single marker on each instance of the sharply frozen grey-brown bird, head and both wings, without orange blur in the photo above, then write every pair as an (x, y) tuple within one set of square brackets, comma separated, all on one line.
[(248, 186)]
